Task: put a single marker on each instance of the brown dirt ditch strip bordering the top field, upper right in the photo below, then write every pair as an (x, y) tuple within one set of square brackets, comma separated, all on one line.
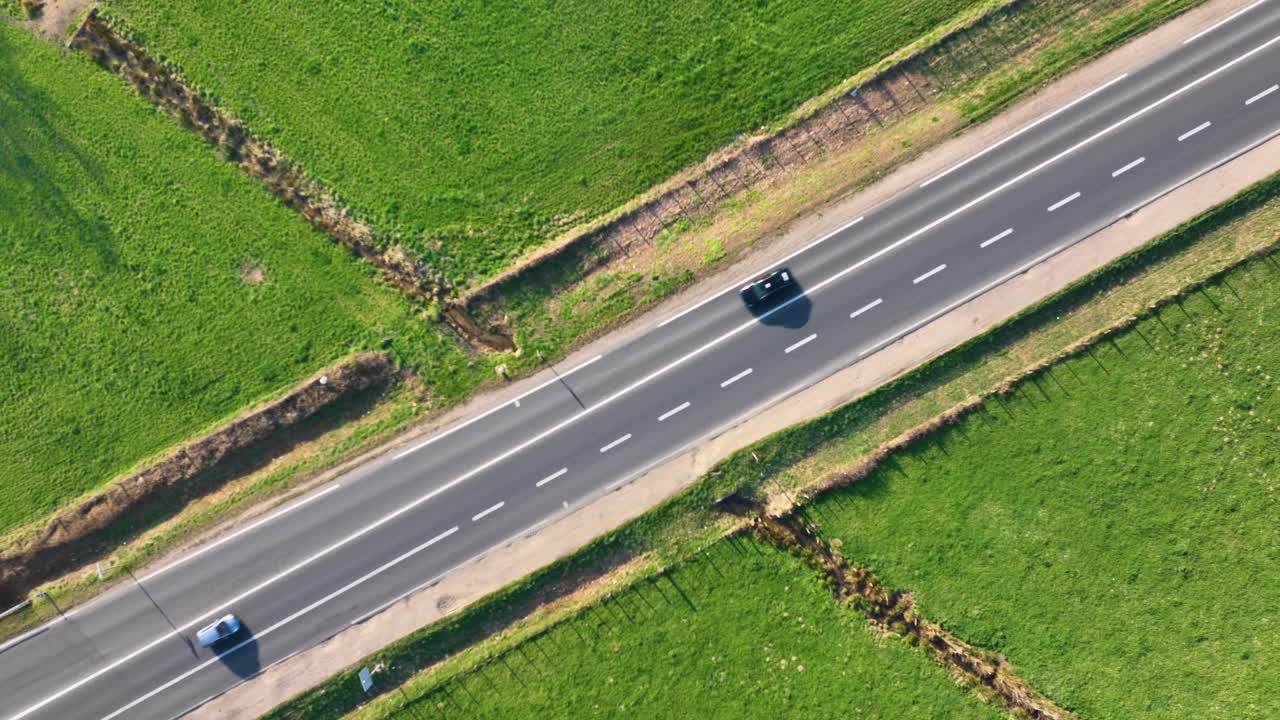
[(892, 92)]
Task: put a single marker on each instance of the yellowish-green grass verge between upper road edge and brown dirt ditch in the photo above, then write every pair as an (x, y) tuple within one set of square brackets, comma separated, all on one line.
[(568, 307)]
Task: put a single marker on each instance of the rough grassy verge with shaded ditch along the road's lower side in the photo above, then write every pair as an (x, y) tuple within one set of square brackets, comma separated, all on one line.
[(806, 455)]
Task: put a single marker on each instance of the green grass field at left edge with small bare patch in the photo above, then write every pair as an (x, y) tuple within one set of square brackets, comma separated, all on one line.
[(150, 289)]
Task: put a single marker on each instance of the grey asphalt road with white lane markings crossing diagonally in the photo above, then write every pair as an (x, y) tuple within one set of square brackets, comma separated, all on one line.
[(377, 534)]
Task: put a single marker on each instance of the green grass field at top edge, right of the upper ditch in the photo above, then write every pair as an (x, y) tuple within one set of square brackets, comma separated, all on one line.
[(479, 129)]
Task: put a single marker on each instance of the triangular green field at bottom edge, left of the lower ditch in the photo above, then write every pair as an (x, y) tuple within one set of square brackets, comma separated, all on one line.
[(746, 631)]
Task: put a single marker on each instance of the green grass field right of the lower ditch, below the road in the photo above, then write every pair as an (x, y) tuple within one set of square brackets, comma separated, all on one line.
[(1114, 527)]
